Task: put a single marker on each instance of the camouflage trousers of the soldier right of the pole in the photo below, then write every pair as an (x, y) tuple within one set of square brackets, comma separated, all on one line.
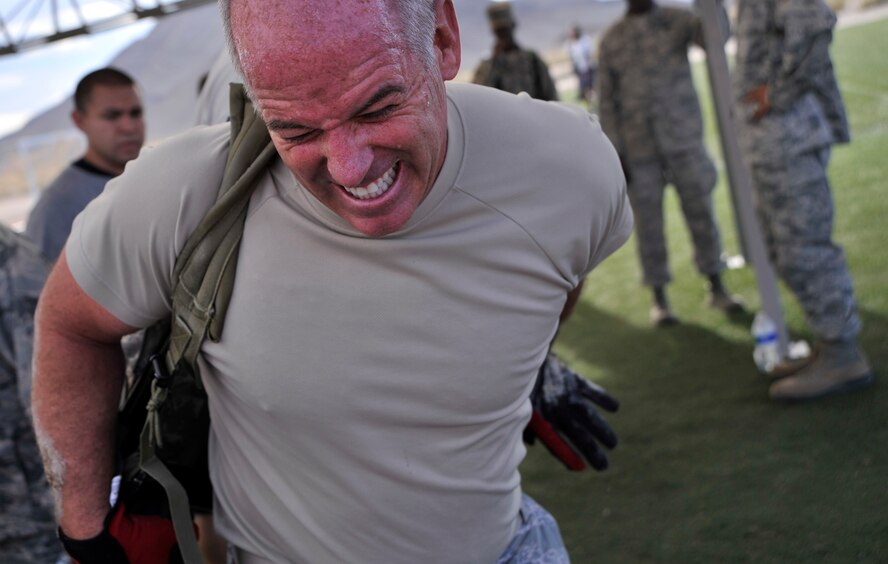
[(795, 208)]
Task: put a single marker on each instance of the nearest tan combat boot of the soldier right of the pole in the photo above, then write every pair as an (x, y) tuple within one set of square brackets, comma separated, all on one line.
[(838, 367)]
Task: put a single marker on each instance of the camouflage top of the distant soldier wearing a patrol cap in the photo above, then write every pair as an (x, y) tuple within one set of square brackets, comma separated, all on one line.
[(517, 71)]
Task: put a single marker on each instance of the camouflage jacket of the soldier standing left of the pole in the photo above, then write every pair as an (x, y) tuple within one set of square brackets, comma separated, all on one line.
[(647, 101)]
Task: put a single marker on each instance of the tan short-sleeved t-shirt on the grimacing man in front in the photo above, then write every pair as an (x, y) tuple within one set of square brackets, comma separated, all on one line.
[(368, 395)]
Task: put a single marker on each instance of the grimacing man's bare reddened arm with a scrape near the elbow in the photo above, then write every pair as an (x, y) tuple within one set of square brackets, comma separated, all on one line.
[(78, 369)]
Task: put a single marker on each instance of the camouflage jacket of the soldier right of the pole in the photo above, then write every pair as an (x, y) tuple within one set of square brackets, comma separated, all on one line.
[(784, 44)]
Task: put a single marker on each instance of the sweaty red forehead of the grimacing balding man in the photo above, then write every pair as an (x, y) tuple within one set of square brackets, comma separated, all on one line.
[(309, 31)]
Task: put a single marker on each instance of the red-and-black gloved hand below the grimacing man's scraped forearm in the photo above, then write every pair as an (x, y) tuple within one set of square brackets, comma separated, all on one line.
[(127, 539)]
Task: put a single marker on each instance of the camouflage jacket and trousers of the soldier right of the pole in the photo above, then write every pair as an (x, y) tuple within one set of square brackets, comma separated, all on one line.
[(784, 44)]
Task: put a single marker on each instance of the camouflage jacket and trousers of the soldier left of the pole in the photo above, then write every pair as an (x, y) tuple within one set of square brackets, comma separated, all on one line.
[(650, 112)]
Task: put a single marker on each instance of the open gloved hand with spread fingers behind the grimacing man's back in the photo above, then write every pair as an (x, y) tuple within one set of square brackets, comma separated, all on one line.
[(565, 419)]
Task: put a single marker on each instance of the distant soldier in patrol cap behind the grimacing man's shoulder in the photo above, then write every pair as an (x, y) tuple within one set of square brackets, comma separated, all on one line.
[(512, 68)]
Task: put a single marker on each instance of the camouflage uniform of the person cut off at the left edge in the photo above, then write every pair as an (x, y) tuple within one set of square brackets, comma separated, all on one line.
[(27, 525)]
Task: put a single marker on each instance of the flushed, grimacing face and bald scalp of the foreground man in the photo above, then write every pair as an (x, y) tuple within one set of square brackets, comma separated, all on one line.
[(359, 119)]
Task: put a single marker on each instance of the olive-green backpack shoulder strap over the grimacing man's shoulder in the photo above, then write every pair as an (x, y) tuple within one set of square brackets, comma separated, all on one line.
[(203, 282)]
